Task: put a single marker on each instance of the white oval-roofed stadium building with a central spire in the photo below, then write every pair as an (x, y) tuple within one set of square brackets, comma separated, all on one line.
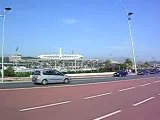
[(63, 62)]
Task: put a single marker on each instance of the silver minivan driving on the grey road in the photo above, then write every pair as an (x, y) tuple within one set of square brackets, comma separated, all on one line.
[(49, 76)]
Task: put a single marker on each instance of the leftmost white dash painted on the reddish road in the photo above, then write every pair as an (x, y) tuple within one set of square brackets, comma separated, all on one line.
[(44, 106)]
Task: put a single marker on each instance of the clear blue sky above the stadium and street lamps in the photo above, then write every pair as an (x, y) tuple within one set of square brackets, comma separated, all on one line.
[(93, 28)]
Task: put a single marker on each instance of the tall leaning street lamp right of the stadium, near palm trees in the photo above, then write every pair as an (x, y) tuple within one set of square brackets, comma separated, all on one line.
[(130, 33)]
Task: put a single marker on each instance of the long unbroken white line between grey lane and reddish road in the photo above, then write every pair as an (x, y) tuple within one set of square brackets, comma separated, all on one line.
[(76, 84)]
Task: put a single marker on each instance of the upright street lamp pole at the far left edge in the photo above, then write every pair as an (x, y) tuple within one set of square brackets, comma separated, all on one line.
[(3, 38)]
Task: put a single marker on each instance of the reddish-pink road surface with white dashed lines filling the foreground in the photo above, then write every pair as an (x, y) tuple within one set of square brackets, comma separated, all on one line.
[(136, 99)]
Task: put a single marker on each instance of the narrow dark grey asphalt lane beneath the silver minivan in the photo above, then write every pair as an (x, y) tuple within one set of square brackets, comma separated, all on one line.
[(73, 82)]
